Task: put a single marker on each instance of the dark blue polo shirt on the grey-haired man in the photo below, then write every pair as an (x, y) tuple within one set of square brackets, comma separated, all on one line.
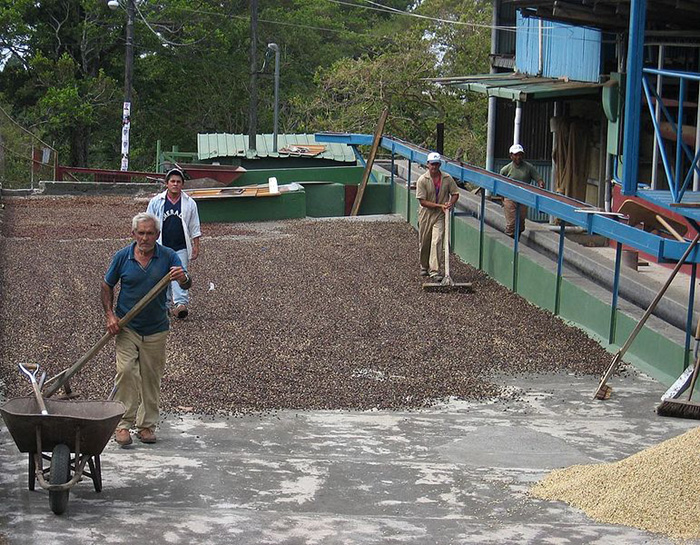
[(137, 281)]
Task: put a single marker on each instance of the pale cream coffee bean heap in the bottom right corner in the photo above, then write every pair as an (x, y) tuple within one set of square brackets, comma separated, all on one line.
[(656, 489)]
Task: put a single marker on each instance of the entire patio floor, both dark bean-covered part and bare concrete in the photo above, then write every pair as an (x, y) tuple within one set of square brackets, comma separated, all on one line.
[(514, 385)]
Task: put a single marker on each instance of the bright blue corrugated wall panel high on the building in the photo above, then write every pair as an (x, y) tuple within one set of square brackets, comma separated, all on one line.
[(568, 51)]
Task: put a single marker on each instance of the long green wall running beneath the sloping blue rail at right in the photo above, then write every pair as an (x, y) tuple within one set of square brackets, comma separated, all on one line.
[(652, 352)]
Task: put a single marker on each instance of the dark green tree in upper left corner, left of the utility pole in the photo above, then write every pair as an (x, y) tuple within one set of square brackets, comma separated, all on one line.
[(58, 48)]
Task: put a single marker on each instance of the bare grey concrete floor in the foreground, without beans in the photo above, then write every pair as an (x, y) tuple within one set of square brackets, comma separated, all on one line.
[(453, 474)]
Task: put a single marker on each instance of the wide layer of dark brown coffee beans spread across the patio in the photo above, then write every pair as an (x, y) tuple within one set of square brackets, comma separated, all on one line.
[(299, 314)]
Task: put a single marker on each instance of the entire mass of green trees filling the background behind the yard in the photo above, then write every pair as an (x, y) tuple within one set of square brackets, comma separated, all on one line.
[(62, 70)]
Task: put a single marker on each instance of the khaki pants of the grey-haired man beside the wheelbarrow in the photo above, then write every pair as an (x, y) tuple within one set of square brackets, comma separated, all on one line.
[(140, 366)]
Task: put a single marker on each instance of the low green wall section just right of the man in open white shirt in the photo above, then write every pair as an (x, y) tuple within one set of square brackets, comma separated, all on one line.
[(285, 206)]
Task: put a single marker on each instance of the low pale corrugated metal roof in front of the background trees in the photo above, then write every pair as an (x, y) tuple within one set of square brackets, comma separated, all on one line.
[(211, 146)]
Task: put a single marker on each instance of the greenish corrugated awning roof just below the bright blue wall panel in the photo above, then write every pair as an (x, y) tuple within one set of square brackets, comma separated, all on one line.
[(516, 86)]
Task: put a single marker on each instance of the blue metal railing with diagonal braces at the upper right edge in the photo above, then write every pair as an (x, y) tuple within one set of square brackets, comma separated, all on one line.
[(678, 179)]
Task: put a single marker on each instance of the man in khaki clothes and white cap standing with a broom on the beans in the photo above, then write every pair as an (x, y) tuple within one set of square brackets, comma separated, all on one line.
[(436, 192)]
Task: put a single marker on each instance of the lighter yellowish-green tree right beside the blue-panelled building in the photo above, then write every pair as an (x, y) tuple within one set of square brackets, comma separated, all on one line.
[(352, 92)]
